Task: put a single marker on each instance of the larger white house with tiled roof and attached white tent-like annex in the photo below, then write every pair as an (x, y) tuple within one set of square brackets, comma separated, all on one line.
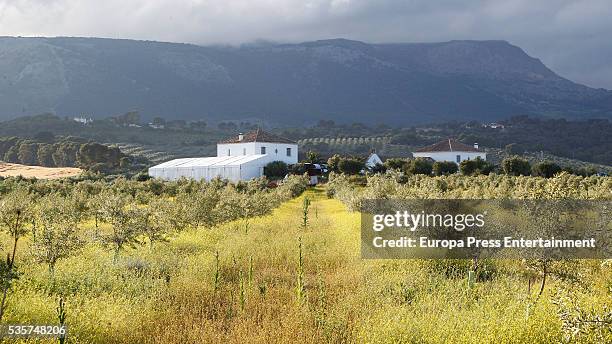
[(238, 158)]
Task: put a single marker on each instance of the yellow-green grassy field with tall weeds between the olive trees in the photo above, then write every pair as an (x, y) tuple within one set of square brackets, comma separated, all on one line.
[(257, 291)]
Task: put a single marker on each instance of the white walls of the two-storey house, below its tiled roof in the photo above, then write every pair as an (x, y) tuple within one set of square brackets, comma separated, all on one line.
[(274, 151)]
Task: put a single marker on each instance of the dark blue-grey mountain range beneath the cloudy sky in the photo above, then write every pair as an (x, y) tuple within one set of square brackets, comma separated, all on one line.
[(286, 83)]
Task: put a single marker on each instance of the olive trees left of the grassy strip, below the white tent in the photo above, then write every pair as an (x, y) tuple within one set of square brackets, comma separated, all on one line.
[(124, 213)]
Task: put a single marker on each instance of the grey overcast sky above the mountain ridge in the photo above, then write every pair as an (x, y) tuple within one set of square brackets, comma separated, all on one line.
[(574, 38)]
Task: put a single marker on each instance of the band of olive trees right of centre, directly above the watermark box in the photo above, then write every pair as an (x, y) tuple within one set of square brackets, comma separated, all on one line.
[(394, 184)]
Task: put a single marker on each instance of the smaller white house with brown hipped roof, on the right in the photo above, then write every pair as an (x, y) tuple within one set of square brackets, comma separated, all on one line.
[(450, 150)]
